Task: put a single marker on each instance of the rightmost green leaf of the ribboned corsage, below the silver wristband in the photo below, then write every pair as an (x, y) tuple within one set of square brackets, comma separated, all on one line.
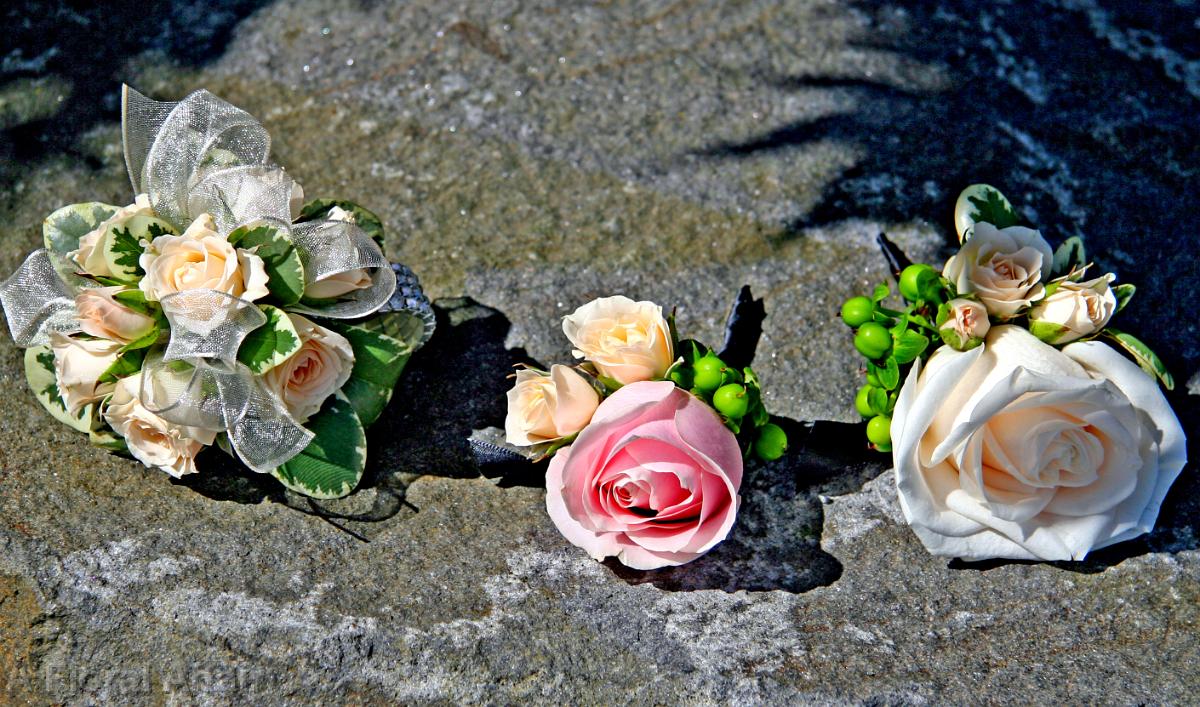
[(379, 362)]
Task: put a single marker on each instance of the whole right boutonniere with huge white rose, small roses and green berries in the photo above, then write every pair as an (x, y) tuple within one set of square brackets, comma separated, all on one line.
[(1016, 428)]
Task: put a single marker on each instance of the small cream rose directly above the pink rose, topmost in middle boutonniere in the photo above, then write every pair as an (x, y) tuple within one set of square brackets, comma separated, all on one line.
[(628, 341)]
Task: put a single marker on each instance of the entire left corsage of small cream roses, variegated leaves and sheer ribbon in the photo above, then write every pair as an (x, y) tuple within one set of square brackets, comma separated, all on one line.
[(218, 308)]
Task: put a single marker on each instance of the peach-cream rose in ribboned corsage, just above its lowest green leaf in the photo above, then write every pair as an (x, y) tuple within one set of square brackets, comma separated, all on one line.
[(319, 369)]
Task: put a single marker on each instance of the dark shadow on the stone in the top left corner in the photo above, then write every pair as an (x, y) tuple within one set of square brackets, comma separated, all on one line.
[(87, 50)]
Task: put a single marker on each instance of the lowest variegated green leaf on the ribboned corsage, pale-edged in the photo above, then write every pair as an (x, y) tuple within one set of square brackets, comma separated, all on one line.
[(333, 464)]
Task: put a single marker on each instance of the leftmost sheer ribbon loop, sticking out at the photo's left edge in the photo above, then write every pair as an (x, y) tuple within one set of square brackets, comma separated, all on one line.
[(38, 303)]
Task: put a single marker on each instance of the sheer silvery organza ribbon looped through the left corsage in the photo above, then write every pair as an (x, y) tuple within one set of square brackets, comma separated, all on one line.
[(196, 157)]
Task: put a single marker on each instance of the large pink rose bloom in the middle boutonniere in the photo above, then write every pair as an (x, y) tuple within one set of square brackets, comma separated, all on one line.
[(653, 481)]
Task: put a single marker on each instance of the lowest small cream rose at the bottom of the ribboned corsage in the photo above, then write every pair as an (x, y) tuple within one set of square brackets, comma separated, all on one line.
[(152, 440)]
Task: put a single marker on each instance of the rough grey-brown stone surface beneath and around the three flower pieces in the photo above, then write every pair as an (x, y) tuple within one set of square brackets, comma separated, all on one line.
[(527, 157)]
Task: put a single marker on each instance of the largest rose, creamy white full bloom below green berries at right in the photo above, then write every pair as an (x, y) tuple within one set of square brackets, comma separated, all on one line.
[(1018, 451)]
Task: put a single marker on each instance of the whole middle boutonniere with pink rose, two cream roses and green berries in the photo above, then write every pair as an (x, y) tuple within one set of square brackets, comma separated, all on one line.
[(647, 436)]
